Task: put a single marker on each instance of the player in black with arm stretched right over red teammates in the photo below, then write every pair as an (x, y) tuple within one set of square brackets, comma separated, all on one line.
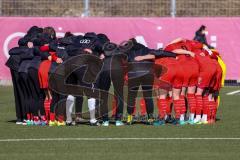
[(141, 73)]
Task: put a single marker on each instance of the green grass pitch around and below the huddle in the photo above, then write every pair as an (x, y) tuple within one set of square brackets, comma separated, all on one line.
[(227, 127)]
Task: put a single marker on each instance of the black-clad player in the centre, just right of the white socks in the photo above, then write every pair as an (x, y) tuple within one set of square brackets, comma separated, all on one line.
[(114, 70)]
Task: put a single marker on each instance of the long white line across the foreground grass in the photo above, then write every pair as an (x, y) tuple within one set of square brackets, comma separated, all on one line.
[(109, 139)]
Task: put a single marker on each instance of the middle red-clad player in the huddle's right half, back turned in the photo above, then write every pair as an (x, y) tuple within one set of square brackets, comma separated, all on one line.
[(190, 75)]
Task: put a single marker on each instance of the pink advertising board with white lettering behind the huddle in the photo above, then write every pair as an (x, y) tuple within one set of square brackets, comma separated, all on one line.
[(224, 33)]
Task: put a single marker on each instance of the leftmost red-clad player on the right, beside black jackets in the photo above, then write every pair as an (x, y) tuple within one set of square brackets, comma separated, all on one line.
[(173, 76)]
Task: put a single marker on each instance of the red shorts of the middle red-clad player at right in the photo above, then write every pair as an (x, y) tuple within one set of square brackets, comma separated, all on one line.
[(191, 72)]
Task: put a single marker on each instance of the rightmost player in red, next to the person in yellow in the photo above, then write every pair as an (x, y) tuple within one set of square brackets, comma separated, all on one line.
[(207, 76)]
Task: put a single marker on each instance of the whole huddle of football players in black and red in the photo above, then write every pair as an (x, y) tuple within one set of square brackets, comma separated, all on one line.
[(184, 77)]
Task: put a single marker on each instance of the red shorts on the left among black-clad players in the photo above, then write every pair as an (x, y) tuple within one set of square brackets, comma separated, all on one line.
[(43, 73)]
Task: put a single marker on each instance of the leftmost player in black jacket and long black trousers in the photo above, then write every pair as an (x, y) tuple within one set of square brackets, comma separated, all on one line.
[(19, 63)]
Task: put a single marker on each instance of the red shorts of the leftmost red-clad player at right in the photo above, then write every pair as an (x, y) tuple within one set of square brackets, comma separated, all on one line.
[(174, 73)]
